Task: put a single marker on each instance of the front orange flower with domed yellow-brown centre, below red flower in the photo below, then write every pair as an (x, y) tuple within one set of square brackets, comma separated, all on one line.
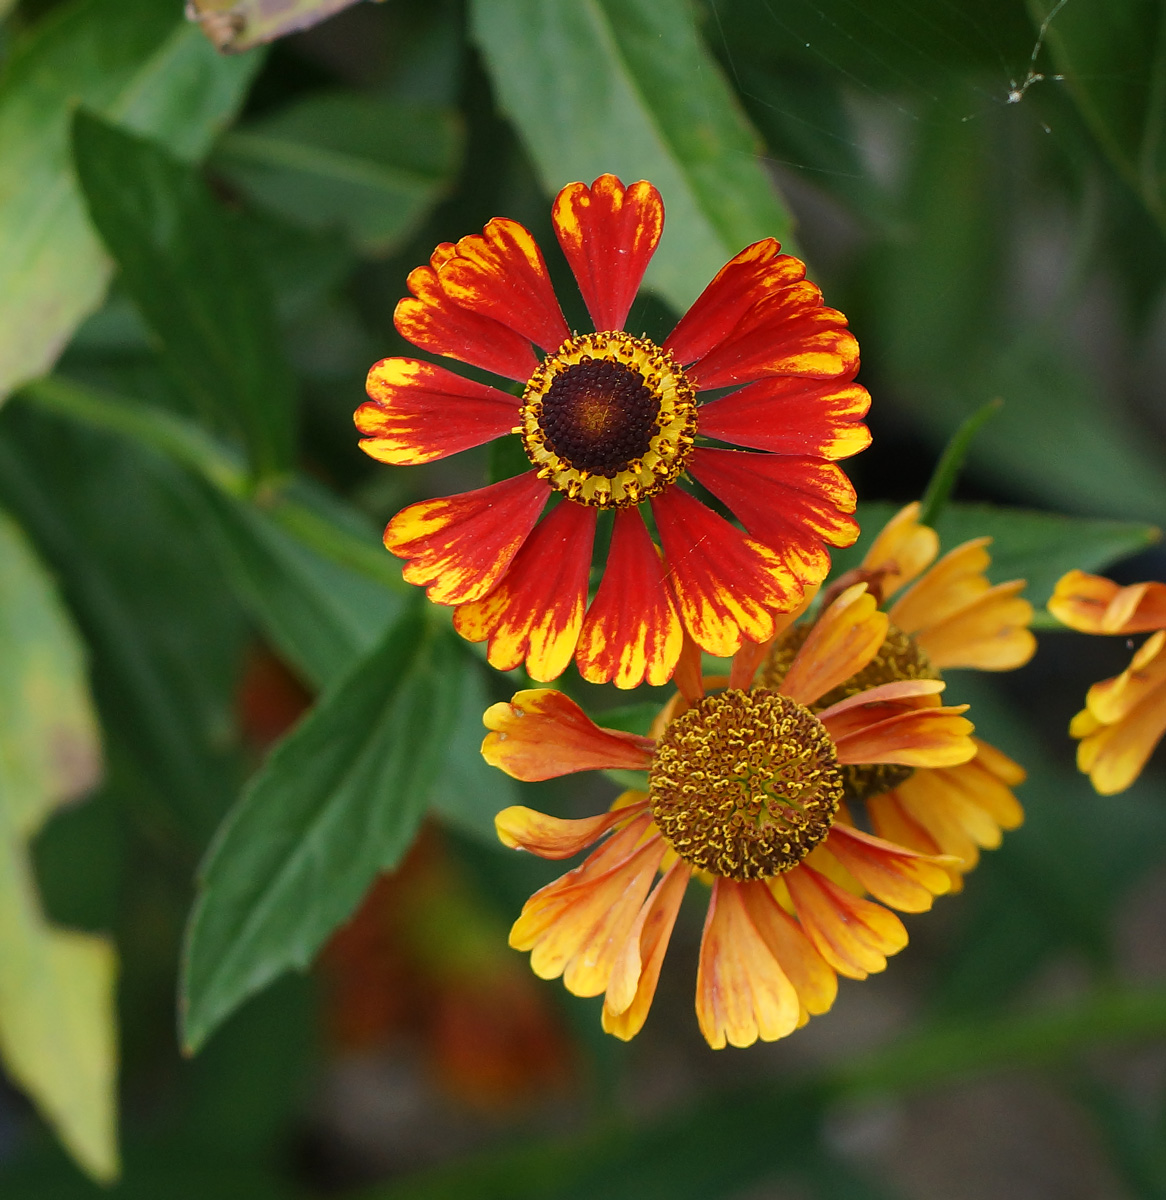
[(744, 790)]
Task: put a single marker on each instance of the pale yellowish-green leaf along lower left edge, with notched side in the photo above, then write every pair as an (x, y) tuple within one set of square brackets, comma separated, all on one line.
[(57, 1007)]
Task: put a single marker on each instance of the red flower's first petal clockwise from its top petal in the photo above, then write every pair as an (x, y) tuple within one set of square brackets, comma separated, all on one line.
[(743, 281)]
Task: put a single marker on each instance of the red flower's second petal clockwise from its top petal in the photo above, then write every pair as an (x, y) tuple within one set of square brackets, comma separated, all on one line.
[(788, 333)]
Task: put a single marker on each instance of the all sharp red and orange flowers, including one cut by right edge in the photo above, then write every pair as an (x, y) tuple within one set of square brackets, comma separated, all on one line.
[(821, 783)]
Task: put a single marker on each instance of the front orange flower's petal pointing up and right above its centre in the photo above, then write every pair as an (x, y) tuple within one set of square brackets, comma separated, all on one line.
[(842, 643)]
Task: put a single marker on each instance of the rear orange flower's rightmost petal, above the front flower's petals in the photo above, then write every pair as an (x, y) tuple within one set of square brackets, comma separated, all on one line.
[(991, 634)]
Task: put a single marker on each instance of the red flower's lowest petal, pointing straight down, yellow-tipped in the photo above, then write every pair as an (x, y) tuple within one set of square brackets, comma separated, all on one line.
[(632, 633)]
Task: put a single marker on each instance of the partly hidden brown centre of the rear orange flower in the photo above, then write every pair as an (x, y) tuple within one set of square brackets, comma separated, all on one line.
[(899, 658)]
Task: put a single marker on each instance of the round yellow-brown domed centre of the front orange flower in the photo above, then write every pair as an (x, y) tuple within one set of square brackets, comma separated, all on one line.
[(746, 784)]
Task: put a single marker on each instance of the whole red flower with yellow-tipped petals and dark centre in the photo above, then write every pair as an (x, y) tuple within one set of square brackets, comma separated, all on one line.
[(612, 422)]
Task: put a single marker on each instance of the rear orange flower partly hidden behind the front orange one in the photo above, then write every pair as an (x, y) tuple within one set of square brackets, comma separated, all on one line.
[(941, 615)]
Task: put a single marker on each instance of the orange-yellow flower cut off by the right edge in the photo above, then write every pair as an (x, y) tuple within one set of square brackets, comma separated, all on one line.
[(1126, 717)]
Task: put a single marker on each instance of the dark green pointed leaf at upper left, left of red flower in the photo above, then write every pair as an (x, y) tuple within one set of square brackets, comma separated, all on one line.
[(190, 277)]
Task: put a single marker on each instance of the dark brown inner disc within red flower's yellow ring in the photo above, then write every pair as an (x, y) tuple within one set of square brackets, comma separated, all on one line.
[(599, 417)]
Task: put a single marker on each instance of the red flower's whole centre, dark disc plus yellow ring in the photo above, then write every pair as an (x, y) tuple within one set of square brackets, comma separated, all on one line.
[(609, 421)]
